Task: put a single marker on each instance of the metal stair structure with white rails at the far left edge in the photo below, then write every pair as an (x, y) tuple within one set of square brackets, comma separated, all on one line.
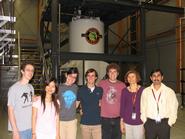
[(8, 70)]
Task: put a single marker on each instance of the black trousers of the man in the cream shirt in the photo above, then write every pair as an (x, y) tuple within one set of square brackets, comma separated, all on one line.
[(154, 130)]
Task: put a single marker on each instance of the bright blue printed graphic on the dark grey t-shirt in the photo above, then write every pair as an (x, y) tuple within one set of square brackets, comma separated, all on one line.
[(69, 98)]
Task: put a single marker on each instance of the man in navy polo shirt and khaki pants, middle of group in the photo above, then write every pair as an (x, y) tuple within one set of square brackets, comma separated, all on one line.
[(89, 96)]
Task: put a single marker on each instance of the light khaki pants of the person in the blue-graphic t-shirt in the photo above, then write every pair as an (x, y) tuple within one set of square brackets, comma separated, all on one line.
[(68, 129)]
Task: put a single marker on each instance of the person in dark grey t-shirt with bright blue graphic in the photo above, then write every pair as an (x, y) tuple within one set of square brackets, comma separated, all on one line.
[(67, 96)]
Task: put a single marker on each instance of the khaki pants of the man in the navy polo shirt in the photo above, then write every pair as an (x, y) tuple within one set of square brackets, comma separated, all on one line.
[(89, 131)]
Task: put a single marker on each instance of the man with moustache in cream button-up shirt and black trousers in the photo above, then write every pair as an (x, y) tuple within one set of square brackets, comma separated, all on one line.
[(158, 108)]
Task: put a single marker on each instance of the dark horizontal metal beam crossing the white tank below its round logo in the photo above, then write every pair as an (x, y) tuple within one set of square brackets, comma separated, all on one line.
[(99, 57)]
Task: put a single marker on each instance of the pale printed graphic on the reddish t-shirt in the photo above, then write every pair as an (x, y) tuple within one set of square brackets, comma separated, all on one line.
[(111, 95)]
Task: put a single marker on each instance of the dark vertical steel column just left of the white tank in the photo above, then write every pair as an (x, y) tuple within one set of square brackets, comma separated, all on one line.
[(54, 36)]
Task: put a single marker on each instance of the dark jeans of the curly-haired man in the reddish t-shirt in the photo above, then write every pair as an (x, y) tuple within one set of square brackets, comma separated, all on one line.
[(111, 128)]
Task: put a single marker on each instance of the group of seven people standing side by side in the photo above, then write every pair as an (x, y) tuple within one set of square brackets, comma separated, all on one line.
[(109, 108)]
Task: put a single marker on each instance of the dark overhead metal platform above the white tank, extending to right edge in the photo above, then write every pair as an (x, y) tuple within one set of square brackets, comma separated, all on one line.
[(109, 11)]
